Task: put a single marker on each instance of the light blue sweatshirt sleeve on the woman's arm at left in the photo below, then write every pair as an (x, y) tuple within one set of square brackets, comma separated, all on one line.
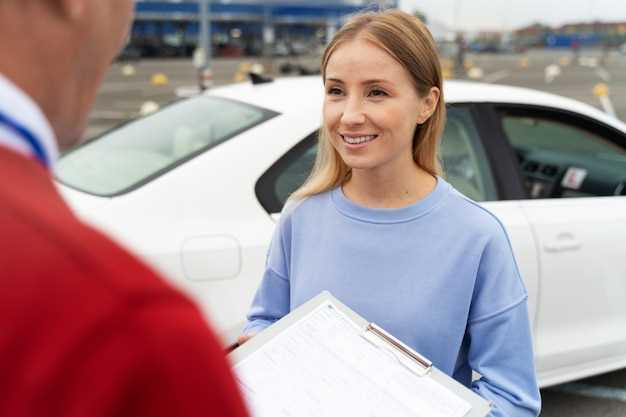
[(272, 301)]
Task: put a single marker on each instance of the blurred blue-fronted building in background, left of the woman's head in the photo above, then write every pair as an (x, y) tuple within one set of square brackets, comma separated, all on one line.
[(240, 27)]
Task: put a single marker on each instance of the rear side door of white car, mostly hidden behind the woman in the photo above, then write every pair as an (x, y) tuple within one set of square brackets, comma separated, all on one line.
[(468, 166)]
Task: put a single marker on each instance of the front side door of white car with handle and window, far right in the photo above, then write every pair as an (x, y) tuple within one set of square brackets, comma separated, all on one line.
[(574, 171)]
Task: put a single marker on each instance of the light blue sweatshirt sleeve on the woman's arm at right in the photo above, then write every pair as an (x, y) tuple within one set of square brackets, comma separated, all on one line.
[(500, 341)]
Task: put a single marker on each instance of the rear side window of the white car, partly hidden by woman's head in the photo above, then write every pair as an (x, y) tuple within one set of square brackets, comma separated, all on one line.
[(461, 153)]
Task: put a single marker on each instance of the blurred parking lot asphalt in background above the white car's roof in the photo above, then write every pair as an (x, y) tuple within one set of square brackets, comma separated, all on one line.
[(128, 86)]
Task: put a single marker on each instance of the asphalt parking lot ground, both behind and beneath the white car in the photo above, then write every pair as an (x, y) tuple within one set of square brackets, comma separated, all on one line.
[(128, 88)]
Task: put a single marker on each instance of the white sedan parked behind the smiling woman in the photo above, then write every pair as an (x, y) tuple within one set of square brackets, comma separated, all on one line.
[(195, 189)]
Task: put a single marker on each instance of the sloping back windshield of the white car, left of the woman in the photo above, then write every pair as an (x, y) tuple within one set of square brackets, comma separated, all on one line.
[(136, 153)]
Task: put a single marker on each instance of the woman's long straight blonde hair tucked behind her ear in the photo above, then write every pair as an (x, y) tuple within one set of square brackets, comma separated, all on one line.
[(407, 40)]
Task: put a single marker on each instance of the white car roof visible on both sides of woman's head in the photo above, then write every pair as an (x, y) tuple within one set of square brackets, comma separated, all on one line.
[(301, 94)]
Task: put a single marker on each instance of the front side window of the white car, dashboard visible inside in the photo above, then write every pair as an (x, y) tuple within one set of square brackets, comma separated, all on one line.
[(566, 156)]
